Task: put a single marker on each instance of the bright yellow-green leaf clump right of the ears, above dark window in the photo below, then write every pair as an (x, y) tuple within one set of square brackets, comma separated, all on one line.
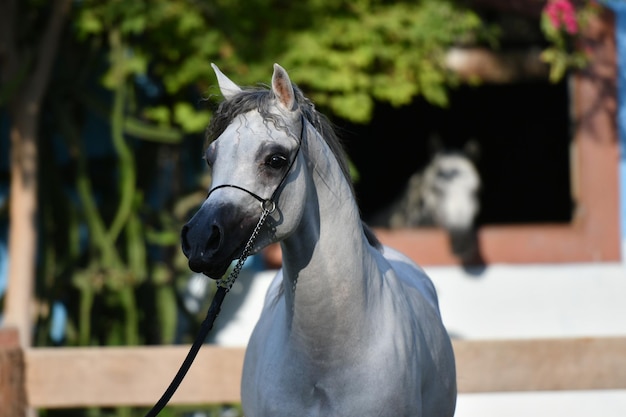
[(390, 52)]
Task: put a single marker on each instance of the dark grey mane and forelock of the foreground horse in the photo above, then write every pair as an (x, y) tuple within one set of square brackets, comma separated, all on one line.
[(260, 99)]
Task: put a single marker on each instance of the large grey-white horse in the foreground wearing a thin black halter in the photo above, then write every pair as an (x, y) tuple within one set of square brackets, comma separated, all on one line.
[(349, 327)]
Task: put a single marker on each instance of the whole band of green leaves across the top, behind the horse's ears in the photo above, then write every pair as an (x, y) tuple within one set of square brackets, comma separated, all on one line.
[(347, 55)]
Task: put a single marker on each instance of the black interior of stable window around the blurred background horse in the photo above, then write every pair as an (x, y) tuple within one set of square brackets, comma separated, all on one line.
[(523, 135)]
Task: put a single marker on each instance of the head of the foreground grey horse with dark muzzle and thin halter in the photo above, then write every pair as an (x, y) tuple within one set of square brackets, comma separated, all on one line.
[(255, 137)]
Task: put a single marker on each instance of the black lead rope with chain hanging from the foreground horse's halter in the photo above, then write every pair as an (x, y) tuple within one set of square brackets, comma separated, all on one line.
[(223, 287)]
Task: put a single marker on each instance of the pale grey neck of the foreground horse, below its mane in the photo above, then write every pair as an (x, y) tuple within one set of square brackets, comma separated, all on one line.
[(327, 262)]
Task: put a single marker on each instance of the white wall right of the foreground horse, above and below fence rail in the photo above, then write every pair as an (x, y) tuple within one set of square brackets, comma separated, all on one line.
[(536, 301)]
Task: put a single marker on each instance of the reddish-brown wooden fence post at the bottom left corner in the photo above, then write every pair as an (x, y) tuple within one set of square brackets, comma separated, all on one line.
[(13, 401)]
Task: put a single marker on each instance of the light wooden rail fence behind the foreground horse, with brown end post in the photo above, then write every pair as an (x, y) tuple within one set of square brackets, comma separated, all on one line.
[(137, 376)]
